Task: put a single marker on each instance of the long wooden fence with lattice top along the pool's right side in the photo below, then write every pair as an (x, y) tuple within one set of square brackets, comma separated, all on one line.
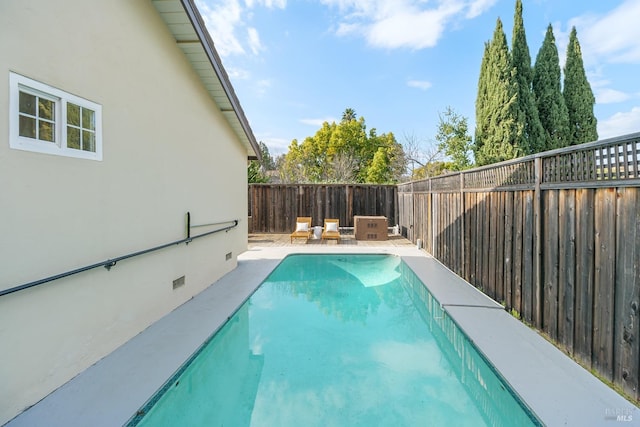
[(555, 237)]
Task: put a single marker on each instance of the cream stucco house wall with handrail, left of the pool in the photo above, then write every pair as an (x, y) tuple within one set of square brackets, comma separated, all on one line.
[(167, 150)]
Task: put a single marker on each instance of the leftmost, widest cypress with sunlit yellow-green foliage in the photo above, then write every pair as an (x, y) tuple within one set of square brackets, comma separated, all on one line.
[(499, 129)]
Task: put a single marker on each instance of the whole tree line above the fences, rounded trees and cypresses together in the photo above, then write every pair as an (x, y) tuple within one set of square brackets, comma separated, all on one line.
[(520, 109)]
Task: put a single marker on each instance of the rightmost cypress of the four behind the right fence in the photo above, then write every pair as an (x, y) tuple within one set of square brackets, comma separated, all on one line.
[(578, 96)]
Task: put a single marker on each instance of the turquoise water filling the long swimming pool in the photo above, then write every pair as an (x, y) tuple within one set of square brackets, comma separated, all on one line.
[(337, 340)]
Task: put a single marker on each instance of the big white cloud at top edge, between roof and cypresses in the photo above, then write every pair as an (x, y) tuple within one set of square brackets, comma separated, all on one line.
[(391, 24)]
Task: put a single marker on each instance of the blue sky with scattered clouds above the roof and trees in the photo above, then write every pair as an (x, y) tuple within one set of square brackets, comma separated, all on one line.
[(399, 63)]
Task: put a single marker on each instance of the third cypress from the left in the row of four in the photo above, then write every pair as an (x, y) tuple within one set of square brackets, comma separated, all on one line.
[(549, 100)]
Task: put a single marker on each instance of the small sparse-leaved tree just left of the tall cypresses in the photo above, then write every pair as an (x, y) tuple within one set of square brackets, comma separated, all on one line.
[(454, 140)]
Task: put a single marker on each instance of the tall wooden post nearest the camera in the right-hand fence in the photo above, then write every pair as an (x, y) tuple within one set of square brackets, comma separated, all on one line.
[(537, 250)]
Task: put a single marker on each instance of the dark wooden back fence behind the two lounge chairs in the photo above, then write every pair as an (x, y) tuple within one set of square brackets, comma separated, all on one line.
[(273, 208)]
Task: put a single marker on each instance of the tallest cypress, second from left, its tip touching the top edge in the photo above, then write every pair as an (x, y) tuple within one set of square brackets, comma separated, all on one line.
[(532, 139)]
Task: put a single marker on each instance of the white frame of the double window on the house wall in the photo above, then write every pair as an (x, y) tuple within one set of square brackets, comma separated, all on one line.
[(17, 83)]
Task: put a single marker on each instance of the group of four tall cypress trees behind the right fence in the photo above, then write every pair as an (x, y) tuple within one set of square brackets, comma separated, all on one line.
[(522, 109)]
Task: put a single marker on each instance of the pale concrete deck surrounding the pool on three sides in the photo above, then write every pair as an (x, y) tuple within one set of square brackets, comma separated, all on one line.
[(109, 393)]
